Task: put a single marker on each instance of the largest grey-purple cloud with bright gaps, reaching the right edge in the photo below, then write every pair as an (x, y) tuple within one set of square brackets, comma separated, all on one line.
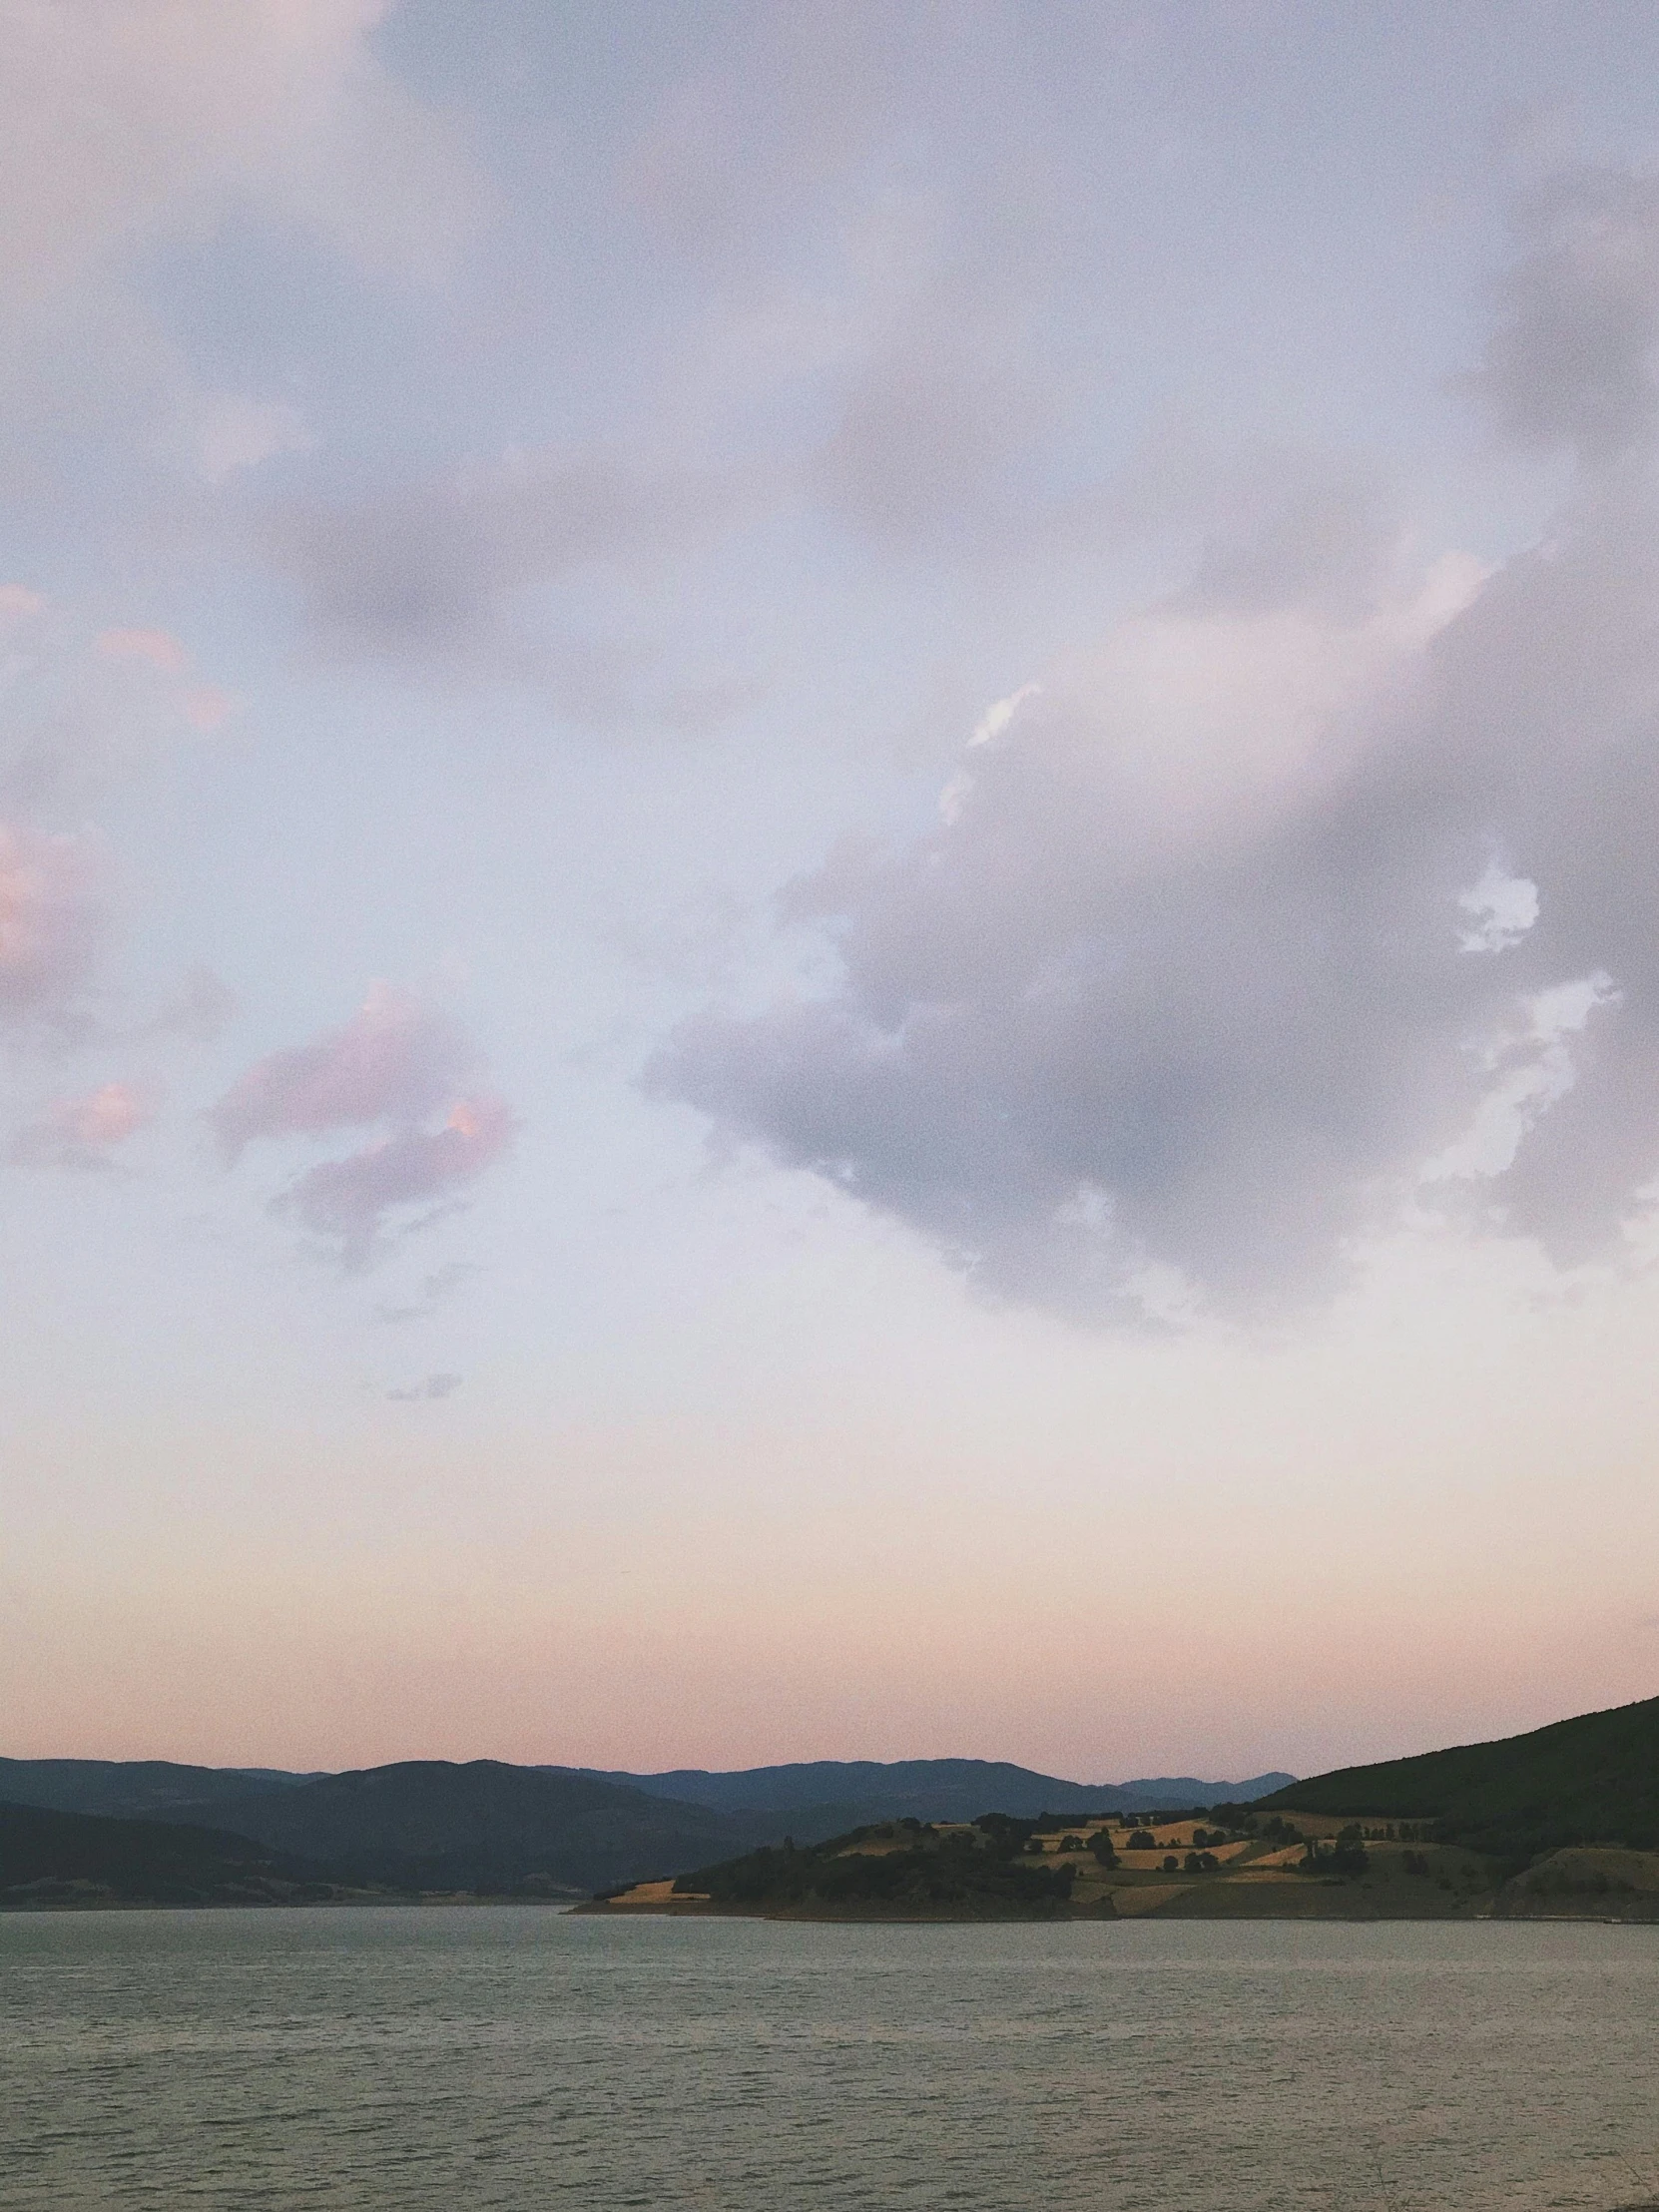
[(1207, 963)]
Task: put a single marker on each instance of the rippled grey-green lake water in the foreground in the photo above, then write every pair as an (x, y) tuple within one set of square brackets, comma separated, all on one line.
[(519, 2058)]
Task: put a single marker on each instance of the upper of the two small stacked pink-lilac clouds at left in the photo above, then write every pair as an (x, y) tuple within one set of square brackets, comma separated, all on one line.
[(395, 1061)]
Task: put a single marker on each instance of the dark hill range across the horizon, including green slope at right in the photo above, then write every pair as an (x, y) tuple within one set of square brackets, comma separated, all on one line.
[(178, 1833)]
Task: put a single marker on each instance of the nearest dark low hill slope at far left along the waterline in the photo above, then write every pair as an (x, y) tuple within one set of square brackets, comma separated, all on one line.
[(85, 1859)]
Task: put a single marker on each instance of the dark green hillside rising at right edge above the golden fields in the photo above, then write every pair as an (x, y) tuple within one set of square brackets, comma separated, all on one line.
[(1594, 1780)]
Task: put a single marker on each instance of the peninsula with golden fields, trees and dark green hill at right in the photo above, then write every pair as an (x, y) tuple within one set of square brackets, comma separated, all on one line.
[(1556, 1824)]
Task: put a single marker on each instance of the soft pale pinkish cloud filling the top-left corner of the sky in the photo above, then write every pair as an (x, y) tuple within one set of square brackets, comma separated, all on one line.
[(132, 129)]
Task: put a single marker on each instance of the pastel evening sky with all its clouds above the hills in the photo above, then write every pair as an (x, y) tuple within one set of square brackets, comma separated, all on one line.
[(828, 855)]
